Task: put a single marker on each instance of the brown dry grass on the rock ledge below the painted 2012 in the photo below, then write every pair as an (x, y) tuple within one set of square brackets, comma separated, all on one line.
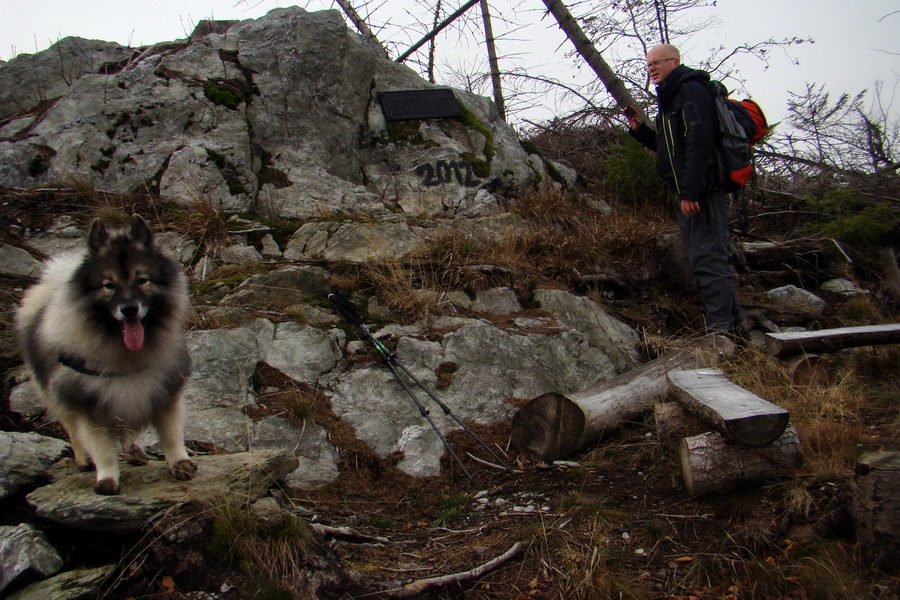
[(561, 239)]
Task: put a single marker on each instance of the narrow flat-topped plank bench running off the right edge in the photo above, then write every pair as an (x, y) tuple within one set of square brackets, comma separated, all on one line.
[(782, 345)]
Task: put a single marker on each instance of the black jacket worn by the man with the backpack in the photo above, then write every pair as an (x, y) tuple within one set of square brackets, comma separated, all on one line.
[(685, 137)]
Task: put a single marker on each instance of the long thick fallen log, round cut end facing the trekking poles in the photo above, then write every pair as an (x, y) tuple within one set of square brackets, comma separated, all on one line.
[(553, 426)]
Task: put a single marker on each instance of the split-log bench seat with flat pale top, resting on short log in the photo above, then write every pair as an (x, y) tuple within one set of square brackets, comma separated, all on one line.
[(739, 414)]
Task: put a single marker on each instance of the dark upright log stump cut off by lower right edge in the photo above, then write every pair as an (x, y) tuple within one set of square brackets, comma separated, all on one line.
[(875, 507)]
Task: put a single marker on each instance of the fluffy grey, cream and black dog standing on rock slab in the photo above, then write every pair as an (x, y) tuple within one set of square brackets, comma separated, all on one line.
[(103, 335)]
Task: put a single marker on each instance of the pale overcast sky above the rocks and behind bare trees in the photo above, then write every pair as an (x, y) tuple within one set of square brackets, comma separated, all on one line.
[(856, 43)]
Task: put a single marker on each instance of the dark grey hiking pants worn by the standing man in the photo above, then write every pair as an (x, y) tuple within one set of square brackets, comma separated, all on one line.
[(705, 236)]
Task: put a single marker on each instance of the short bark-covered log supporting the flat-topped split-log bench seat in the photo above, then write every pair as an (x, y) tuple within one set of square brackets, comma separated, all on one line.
[(710, 462)]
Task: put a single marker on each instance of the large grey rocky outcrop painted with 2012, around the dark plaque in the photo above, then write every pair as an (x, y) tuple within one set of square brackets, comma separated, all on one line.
[(279, 114)]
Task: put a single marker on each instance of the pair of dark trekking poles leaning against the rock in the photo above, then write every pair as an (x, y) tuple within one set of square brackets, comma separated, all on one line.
[(347, 309)]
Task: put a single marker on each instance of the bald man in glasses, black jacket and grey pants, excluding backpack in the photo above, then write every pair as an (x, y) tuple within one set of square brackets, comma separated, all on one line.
[(685, 146)]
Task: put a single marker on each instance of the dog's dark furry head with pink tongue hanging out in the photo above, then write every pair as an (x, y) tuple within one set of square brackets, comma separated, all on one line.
[(127, 284)]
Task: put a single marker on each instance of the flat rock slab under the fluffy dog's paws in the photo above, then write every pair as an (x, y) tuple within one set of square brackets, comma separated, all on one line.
[(149, 489)]
